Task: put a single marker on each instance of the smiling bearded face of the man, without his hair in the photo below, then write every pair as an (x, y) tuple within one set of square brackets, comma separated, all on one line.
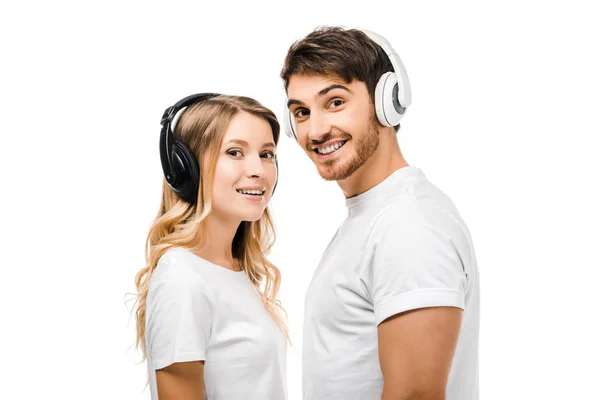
[(335, 123)]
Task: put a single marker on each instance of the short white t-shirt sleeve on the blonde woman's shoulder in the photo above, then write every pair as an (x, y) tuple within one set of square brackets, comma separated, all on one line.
[(178, 316)]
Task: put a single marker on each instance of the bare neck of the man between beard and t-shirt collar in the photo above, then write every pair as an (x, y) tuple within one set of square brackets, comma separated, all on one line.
[(383, 162)]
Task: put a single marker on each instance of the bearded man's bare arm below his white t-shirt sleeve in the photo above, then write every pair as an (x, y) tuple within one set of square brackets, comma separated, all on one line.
[(415, 352)]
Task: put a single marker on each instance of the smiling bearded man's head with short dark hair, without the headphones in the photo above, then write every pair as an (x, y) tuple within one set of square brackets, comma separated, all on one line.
[(331, 78)]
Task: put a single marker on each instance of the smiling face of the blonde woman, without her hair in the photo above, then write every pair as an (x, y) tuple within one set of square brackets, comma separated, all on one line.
[(245, 172)]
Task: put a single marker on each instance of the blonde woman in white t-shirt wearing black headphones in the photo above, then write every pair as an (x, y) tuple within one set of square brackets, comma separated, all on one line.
[(208, 321)]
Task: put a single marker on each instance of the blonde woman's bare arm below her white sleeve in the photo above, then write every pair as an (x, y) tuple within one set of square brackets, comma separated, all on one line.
[(181, 381)]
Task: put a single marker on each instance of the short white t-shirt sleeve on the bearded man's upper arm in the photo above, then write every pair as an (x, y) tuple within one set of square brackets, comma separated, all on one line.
[(412, 261)]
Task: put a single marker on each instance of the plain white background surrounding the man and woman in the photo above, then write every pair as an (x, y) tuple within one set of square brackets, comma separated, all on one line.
[(505, 119)]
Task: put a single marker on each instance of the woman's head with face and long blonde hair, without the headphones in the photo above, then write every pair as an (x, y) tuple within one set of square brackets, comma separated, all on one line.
[(234, 141)]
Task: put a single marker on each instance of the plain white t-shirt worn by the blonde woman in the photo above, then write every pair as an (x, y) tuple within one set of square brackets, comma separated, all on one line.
[(196, 310)]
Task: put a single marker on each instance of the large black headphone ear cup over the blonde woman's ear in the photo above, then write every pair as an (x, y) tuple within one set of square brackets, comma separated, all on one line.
[(187, 168)]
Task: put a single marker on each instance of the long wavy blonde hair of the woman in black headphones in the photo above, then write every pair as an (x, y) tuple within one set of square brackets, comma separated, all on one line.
[(202, 127)]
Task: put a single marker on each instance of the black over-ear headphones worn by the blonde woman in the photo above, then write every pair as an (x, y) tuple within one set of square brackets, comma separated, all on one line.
[(180, 167)]
